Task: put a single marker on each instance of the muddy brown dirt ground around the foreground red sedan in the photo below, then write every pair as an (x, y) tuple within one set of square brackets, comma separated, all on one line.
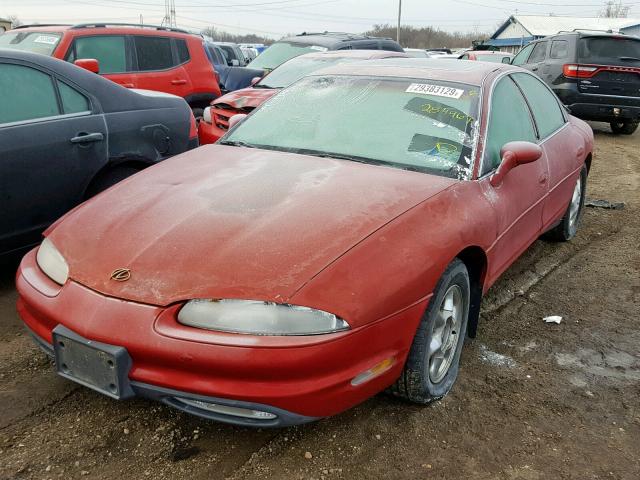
[(533, 400)]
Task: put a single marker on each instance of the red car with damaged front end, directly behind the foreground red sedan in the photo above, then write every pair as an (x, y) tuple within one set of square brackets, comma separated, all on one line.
[(215, 122)]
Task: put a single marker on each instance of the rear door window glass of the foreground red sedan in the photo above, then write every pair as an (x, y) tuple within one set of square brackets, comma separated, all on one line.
[(546, 109)]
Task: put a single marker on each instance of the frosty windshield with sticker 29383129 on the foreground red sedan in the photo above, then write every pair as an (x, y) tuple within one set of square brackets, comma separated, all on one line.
[(422, 125)]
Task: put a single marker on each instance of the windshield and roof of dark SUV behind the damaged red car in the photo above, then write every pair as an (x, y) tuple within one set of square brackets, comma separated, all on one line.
[(290, 47)]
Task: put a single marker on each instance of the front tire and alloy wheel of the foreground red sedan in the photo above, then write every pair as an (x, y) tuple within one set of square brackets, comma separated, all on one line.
[(426, 378)]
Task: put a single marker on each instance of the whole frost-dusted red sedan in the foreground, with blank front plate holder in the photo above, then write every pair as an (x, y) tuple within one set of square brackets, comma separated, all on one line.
[(336, 243)]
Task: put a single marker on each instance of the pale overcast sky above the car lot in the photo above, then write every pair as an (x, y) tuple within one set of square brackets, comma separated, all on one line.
[(274, 18)]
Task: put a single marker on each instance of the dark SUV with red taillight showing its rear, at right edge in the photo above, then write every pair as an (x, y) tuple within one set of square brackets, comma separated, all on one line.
[(596, 75)]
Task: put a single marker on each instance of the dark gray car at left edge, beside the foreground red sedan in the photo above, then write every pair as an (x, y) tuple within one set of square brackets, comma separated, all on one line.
[(66, 134)]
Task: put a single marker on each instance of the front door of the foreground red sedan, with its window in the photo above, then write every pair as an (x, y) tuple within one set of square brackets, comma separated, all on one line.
[(518, 201)]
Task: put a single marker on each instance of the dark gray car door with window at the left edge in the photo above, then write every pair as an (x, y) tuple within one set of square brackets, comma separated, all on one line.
[(51, 143)]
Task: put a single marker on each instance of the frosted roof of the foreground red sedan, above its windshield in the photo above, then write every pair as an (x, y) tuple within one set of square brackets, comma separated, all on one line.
[(472, 73)]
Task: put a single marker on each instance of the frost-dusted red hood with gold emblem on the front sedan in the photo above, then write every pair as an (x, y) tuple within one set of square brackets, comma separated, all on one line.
[(231, 222)]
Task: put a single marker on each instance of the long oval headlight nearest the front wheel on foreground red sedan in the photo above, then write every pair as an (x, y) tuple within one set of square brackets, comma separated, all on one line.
[(258, 318)]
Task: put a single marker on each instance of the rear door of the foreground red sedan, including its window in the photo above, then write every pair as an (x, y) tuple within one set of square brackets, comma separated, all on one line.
[(560, 144)]
